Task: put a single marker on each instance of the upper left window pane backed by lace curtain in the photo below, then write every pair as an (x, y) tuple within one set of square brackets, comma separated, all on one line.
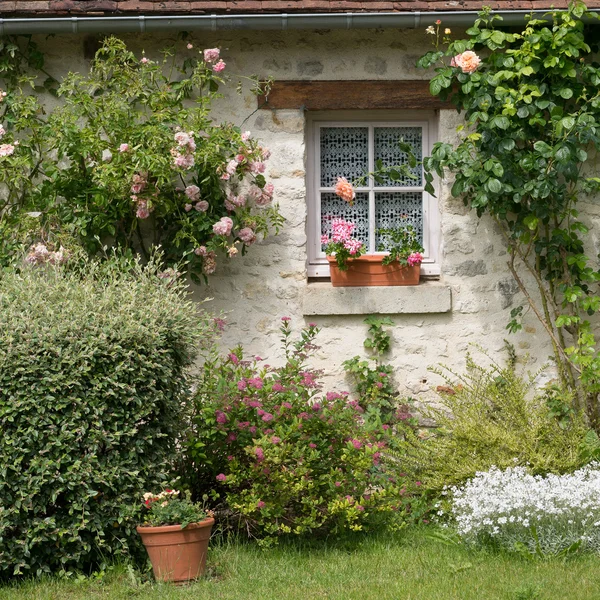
[(344, 153)]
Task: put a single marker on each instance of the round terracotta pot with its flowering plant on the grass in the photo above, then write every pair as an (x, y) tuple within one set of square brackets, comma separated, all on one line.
[(175, 532)]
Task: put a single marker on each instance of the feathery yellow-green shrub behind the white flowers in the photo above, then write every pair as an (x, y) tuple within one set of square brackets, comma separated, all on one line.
[(492, 416)]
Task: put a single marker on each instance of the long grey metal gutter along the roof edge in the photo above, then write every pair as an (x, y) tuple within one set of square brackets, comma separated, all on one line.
[(147, 24)]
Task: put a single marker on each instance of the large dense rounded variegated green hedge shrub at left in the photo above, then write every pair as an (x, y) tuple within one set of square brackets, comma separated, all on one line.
[(92, 378)]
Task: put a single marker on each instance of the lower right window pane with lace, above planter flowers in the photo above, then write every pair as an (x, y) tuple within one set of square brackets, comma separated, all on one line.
[(394, 209)]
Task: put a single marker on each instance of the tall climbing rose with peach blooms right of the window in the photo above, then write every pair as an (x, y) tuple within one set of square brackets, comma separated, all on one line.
[(532, 110)]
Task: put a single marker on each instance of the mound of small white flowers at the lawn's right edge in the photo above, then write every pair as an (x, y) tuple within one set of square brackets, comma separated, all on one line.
[(544, 514)]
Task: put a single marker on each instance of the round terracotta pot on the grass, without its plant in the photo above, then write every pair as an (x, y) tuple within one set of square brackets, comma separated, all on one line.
[(177, 554)]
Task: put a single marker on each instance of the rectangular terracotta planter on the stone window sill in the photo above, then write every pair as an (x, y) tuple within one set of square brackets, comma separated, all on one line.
[(369, 271)]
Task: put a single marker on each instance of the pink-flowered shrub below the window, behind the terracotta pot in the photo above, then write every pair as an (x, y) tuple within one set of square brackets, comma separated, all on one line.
[(283, 456)]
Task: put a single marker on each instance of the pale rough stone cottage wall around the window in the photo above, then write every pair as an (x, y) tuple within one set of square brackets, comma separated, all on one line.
[(476, 288)]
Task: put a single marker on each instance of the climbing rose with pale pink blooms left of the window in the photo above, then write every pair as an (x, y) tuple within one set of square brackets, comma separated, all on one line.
[(132, 157)]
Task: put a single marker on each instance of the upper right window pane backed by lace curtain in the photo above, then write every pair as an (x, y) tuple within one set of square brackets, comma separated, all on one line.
[(387, 150)]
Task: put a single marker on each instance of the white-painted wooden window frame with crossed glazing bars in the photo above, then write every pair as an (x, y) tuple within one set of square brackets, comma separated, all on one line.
[(317, 266)]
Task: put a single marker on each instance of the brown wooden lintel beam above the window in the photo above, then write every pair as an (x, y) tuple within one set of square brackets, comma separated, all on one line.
[(351, 95)]
